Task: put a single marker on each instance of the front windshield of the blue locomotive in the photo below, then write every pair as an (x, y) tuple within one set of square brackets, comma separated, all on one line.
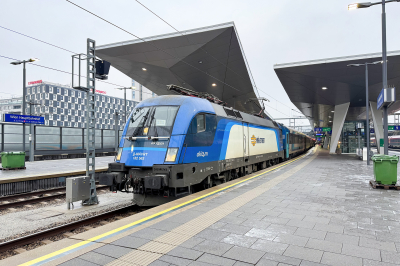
[(152, 121)]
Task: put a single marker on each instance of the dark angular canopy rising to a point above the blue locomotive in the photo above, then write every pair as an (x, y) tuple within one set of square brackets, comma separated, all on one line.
[(209, 59)]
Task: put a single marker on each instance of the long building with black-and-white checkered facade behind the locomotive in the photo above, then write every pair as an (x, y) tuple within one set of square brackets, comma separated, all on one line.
[(64, 106)]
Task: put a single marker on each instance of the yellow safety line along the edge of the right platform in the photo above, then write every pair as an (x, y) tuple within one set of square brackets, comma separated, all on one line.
[(84, 242)]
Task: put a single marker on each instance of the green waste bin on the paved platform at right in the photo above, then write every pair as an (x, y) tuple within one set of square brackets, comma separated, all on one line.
[(385, 169)]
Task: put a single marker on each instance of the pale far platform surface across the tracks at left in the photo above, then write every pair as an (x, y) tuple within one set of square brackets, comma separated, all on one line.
[(52, 168)]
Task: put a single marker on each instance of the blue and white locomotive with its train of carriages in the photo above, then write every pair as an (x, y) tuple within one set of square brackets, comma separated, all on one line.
[(176, 145)]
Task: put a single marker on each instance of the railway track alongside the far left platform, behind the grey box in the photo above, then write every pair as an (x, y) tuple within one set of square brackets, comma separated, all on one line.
[(34, 197)]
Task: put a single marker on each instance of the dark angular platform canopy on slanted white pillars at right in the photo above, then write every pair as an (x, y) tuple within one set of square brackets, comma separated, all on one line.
[(304, 83)]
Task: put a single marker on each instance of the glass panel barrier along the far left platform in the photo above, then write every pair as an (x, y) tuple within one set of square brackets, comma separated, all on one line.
[(50, 140)]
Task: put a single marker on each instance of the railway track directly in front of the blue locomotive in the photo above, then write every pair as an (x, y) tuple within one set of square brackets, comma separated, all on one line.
[(42, 235)]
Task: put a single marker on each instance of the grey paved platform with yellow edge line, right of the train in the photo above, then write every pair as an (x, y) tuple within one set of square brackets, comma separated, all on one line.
[(317, 209)]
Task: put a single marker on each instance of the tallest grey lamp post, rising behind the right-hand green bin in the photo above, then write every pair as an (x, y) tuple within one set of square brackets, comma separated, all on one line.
[(384, 62)]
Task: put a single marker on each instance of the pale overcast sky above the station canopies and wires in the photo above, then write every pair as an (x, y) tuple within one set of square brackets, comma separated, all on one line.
[(271, 32)]
